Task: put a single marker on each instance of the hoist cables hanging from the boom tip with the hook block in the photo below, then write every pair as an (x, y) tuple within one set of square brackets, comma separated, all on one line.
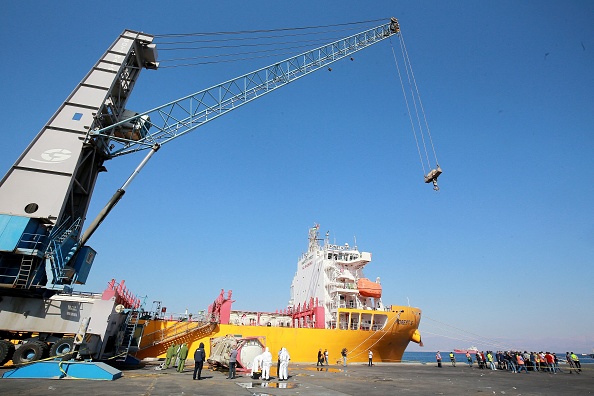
[(415, 98)]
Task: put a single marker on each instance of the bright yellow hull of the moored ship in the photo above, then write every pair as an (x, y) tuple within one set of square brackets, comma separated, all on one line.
[(388, 344)]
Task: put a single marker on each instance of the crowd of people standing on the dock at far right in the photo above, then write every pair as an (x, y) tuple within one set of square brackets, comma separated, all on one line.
[(516, 361)]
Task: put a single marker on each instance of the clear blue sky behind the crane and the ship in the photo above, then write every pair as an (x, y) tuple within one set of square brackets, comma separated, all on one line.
[(501, 255)]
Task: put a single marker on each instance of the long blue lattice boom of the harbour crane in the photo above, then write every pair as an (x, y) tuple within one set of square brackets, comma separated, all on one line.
[(183, 115)]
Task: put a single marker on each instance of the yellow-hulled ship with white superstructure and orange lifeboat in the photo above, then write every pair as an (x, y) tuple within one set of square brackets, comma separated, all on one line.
[(332, 307)]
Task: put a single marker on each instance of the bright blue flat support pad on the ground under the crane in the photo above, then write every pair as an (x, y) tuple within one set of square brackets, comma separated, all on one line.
[(55, 369)]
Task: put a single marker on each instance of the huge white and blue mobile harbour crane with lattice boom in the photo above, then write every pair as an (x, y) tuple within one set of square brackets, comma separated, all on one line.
[(45, 195)]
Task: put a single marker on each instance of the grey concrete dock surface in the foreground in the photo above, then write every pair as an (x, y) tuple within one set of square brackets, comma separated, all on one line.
[(306, 379)]
